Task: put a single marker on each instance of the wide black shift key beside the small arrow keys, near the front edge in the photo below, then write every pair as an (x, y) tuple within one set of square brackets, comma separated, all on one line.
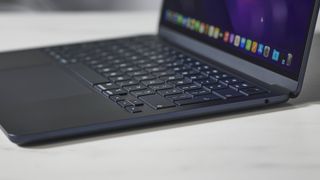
[(157, 102)]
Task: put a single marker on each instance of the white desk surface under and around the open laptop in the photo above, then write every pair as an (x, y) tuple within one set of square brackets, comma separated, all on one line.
[(280, 143)]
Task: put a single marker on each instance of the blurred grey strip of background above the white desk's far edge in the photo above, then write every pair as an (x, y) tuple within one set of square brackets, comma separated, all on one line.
[(79, 5)]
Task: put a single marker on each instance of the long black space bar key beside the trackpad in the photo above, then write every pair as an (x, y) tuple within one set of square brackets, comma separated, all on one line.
[(87, 74)]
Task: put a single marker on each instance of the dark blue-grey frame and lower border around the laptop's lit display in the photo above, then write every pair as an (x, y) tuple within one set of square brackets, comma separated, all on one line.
[(223, 57)]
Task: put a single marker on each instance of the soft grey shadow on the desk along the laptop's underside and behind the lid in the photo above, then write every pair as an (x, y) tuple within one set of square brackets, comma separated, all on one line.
[(310, 96)]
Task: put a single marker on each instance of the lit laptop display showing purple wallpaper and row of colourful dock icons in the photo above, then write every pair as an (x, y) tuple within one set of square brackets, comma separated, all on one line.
[(269, 33)]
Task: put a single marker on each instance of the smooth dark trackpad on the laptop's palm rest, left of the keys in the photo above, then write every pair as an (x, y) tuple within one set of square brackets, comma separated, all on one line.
[(37, 84)]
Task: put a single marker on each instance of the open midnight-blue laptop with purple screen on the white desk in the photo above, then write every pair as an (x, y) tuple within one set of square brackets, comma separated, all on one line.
[(209, 57)]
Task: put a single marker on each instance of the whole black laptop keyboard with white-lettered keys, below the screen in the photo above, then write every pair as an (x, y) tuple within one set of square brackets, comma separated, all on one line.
[(134, 72)]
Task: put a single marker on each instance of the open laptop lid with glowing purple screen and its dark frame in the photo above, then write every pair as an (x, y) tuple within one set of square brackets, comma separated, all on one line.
[(266, 39)]
